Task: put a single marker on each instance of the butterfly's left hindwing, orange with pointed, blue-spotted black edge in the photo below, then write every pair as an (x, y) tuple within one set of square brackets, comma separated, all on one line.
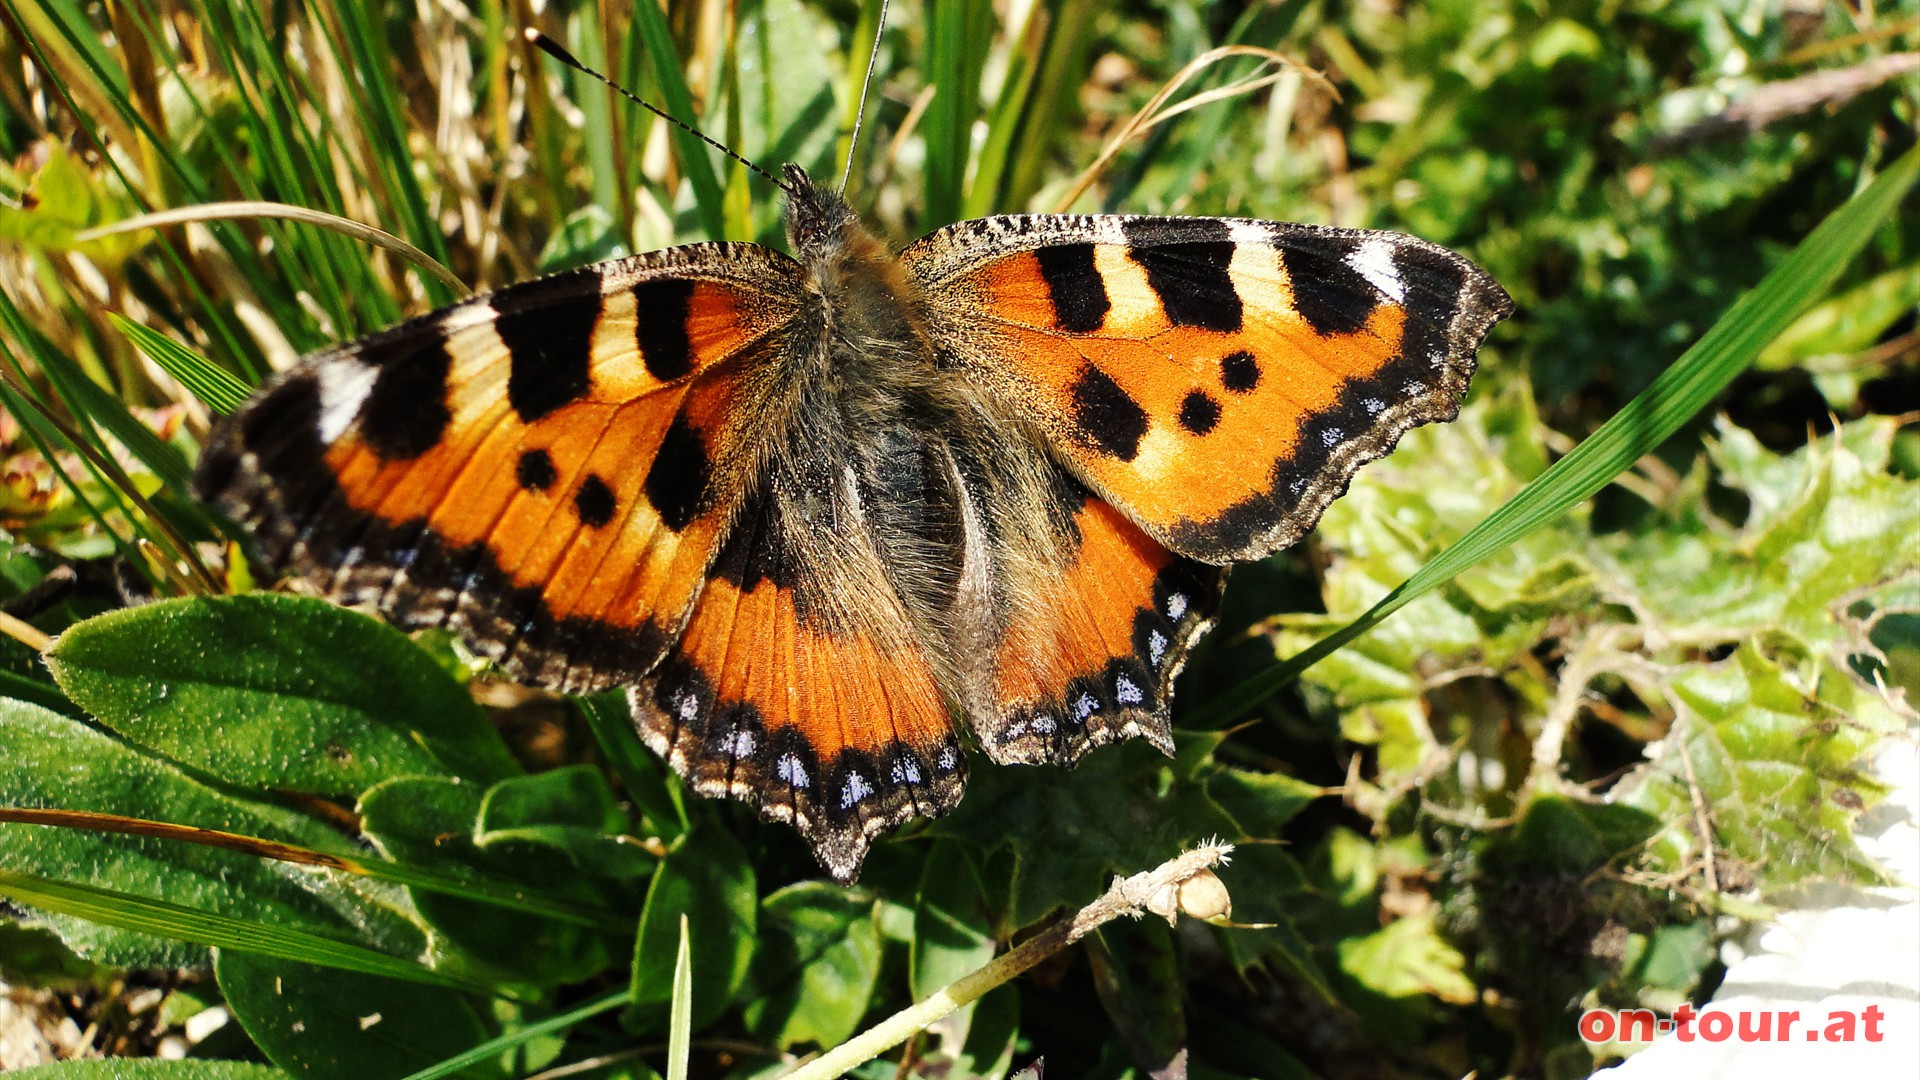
[(802, 683)]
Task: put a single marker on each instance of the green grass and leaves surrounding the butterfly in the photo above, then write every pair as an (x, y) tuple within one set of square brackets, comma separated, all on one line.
[(1556, 781)]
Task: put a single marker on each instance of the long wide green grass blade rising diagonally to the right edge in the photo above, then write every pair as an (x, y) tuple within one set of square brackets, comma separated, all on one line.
[(1681, 393)]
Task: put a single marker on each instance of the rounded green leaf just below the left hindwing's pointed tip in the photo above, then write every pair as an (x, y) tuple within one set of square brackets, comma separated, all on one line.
[(815, 966)]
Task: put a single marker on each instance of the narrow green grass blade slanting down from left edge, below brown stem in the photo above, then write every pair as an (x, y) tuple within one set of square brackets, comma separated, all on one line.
[(210, 929)]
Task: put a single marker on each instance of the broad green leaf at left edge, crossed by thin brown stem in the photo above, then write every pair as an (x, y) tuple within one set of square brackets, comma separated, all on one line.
[(55, 762)]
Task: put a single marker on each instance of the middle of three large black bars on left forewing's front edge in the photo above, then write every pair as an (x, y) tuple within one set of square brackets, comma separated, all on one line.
[(548, 331)]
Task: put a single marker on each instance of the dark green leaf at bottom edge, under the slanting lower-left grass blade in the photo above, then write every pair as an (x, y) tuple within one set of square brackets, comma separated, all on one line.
[(325, 1023)]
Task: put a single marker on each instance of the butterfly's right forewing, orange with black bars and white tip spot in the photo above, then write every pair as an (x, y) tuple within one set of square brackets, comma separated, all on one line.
[(1218, 380)]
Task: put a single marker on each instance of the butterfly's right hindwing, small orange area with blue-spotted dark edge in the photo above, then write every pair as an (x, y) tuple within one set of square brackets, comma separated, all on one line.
[(1090, 650)]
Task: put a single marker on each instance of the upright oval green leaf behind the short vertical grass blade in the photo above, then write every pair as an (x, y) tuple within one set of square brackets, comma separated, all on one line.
[(709, 881)]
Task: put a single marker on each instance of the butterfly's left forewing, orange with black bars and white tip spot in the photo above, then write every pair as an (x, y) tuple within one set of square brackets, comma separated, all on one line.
[(546, 470)]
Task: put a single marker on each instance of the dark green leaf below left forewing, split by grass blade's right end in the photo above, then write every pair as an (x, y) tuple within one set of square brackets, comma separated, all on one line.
[(437, 823)]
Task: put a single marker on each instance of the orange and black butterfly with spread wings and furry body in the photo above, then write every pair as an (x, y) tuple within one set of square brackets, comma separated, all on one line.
[(821, 514)]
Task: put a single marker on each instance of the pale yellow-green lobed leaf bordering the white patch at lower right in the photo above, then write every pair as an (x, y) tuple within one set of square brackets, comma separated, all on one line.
[(1773, 764)]
